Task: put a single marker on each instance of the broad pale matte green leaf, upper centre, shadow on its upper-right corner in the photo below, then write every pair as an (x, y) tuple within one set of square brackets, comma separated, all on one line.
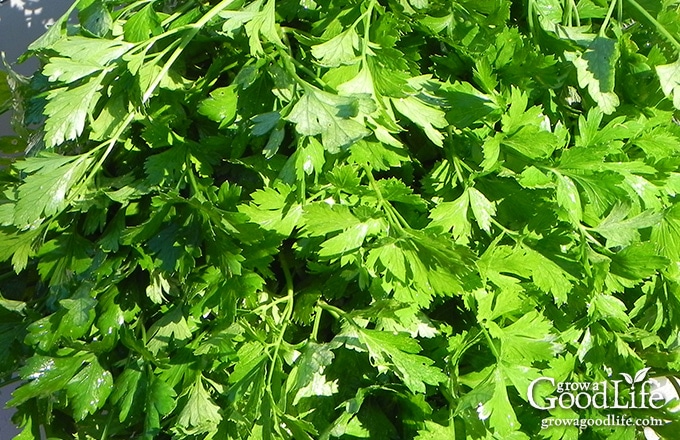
[(319, 112)]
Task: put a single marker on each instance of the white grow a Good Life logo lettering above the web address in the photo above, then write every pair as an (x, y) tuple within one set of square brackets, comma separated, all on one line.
[(633, 392)]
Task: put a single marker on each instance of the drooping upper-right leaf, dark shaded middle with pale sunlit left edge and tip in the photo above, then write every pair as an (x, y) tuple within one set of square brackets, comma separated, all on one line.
[(596, 71)]
